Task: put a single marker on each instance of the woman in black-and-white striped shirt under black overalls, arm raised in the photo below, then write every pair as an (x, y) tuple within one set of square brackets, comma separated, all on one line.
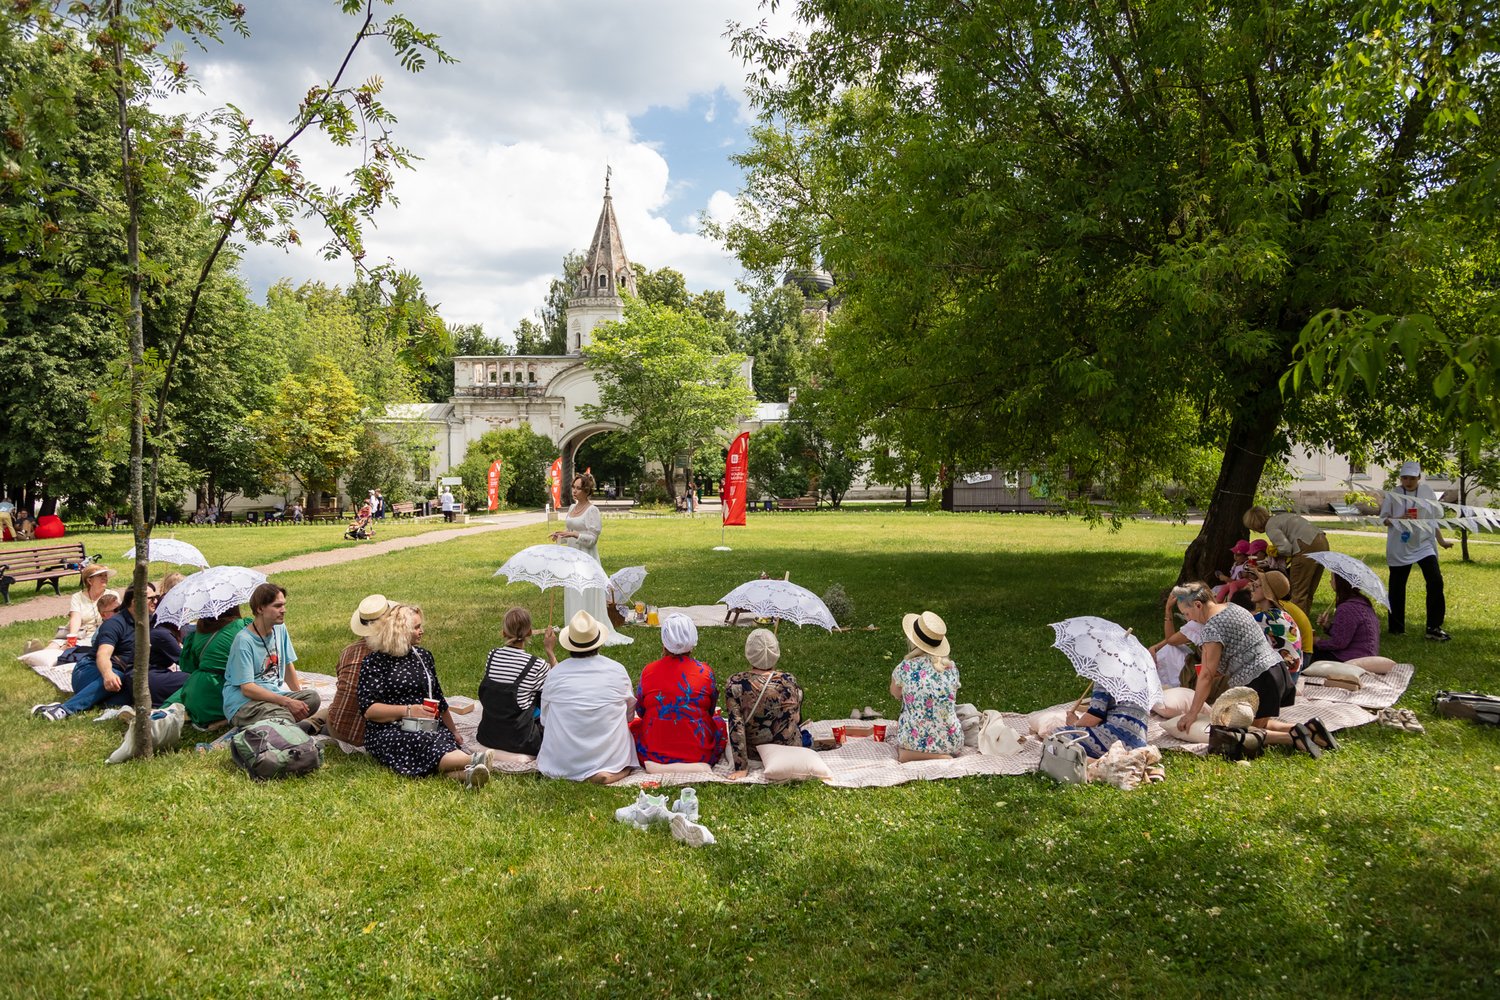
[(511, 690)]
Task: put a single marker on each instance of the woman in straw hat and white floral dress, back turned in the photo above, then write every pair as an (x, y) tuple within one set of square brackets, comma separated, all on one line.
[(926, 683)]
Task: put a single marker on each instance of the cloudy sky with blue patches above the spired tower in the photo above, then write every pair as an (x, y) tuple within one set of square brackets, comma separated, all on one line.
[(515, 139)]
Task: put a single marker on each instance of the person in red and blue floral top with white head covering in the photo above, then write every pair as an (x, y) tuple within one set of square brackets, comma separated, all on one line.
[(676, 704)]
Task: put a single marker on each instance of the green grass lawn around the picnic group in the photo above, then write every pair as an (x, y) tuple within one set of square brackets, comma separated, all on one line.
[(1369, 873)]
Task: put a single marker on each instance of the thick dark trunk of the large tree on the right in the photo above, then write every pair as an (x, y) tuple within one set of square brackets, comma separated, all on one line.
[(1252, 434)]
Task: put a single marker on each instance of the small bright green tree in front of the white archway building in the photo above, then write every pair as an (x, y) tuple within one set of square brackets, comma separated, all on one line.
[(671, 377)]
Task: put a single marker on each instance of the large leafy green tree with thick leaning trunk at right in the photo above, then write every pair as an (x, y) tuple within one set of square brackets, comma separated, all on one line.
[(1067, 226)]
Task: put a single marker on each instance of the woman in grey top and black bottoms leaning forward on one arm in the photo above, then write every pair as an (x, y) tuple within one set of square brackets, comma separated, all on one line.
[(1235, 645)]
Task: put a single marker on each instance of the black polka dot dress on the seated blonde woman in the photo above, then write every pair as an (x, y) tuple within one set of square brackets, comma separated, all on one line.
[(388, 680)]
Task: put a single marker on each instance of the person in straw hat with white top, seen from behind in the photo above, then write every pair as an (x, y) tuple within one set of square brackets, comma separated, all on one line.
[(586, 711)]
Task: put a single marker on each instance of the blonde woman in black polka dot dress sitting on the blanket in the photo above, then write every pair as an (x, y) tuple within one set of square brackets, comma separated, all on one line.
[(407, 722)]
